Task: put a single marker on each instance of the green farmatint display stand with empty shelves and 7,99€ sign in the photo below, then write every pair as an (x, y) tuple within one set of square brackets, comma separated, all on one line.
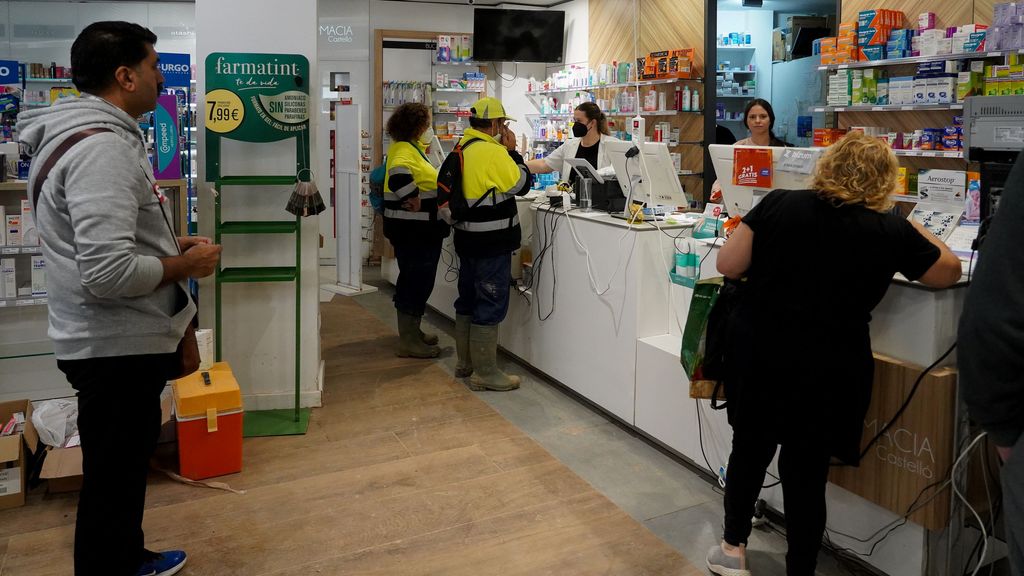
[(260, 99)]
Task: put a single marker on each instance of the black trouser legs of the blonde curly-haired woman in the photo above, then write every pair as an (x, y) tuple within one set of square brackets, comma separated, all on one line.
[(803, 467)]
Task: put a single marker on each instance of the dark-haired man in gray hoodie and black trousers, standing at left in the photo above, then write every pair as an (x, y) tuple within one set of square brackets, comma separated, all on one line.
[(118, 300)]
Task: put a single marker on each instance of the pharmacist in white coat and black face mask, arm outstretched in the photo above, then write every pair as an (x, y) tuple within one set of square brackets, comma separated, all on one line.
[(590, 129)]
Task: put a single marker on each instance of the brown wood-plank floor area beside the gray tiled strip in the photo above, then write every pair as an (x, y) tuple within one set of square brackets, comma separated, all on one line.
[(403, 472)]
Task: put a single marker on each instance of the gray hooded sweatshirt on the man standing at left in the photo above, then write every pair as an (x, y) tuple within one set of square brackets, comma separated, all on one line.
[(104, 231)]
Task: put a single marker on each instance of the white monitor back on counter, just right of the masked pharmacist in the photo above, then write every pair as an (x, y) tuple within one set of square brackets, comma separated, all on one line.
[(654, 181)]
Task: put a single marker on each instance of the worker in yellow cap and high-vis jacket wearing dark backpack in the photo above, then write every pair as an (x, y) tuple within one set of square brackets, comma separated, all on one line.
[(494, 174)]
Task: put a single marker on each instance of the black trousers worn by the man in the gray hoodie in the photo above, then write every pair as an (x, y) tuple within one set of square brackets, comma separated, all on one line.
[(119, 423)]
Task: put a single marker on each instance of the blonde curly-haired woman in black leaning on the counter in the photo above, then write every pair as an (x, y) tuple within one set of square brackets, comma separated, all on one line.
[(800, 366)]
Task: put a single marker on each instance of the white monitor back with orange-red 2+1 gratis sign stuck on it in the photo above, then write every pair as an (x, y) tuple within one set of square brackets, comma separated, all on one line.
[(792, 170)]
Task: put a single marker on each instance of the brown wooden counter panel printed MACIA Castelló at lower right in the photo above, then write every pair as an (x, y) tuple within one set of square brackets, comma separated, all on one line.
[(916, 452)]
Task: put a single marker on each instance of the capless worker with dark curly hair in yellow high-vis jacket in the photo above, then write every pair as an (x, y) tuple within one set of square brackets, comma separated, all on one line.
[(412, 225)]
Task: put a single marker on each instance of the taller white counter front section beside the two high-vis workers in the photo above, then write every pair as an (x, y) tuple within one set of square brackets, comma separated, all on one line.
[(561, 326)]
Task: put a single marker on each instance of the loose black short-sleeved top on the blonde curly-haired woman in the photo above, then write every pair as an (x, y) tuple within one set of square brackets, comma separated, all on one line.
[(801, 331)]
